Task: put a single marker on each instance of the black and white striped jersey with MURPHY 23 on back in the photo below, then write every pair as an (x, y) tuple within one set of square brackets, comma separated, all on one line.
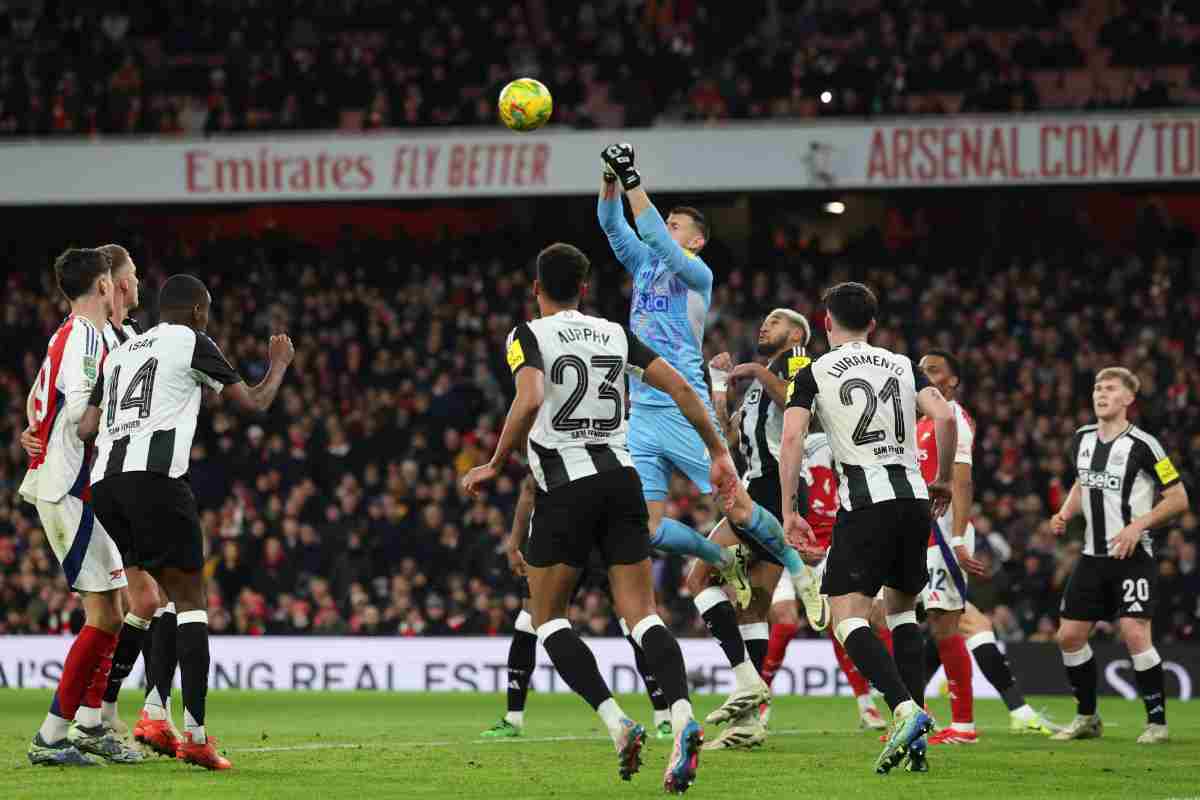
[(581, 425)]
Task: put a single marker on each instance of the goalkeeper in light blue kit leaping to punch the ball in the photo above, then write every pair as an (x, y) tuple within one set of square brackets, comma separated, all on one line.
[(673, 291)]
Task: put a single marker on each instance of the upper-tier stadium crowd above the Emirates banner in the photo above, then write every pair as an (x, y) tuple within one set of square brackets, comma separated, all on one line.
[(265, 65)]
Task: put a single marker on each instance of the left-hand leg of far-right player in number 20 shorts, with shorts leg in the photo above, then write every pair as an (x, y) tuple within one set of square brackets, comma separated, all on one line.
[(1084, 601)]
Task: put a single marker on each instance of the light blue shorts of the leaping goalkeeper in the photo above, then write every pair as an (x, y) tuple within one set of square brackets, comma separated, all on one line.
[(662, 440)]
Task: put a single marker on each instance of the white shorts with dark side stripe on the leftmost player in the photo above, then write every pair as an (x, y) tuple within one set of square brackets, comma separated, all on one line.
[(89, 557)]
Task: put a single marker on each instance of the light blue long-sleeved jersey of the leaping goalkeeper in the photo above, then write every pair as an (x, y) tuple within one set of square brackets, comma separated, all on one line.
[(673, 292)]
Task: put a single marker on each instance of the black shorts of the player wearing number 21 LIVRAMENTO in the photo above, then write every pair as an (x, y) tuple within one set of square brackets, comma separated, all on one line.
[(883, 545)]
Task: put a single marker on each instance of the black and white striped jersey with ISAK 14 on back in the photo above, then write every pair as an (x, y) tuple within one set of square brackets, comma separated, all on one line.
[(149, 400)]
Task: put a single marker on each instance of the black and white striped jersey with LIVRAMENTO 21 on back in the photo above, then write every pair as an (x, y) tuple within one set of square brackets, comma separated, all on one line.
[(867, 400)]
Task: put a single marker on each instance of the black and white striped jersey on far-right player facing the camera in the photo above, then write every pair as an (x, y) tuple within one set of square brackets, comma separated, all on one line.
[(1118, 483)]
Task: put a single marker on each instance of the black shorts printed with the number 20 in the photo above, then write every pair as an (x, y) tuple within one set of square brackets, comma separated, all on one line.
[(1102, 588)]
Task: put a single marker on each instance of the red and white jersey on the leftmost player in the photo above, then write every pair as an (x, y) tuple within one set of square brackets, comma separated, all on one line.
[(61, 398)]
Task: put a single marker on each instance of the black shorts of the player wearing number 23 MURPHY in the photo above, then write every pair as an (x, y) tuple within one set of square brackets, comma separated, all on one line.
[(604, 513)]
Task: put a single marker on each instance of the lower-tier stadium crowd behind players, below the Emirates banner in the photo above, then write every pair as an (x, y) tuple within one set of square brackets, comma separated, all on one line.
[(340, 512)]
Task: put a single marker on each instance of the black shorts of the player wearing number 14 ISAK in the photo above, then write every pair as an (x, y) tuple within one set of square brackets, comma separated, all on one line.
[(153, 519)]
